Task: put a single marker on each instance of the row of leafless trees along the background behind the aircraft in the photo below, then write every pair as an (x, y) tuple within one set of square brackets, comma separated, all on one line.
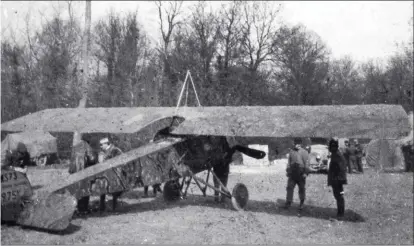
[(239, 55)]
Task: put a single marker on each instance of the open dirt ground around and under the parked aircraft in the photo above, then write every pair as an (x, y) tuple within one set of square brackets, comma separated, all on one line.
[(379, 210)]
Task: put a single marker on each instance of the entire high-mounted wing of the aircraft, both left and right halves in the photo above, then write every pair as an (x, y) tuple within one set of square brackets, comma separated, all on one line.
[(351, 121)]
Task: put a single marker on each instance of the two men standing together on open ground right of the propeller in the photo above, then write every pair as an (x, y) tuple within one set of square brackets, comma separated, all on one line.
[(298, 169)]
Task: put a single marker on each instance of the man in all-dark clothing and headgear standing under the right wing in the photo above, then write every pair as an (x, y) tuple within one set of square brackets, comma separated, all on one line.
[(337, 175)]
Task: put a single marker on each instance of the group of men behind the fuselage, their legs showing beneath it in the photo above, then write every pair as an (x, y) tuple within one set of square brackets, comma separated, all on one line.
[(83, 157)]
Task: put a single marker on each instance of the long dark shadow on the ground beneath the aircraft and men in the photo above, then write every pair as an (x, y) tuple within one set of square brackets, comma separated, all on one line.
[(269, 207)]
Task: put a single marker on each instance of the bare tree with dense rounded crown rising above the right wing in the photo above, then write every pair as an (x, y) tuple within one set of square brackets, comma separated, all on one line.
[(302, 64)]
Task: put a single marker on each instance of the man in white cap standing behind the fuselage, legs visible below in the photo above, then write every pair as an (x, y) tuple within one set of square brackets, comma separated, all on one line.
[(108, 151)]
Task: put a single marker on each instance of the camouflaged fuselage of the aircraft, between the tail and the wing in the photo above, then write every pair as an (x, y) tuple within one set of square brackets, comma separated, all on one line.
[(148, 165)]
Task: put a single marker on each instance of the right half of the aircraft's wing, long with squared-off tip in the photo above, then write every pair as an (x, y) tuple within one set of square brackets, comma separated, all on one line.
[(351, 121)]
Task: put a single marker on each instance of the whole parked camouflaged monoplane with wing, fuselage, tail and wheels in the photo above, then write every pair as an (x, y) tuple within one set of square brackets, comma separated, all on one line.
[(186, 141)]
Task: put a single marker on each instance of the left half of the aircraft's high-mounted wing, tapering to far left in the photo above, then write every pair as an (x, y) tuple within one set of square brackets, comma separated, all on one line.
[(92, 120)]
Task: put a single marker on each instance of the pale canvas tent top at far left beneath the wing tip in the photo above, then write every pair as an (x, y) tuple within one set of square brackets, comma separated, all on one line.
[(37, 143)]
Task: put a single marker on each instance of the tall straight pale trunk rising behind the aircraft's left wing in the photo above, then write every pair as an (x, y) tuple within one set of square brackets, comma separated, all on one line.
[(85, 50)]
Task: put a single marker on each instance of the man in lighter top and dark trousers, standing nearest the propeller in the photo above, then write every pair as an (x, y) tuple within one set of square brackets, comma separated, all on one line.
[(297, 170)]
